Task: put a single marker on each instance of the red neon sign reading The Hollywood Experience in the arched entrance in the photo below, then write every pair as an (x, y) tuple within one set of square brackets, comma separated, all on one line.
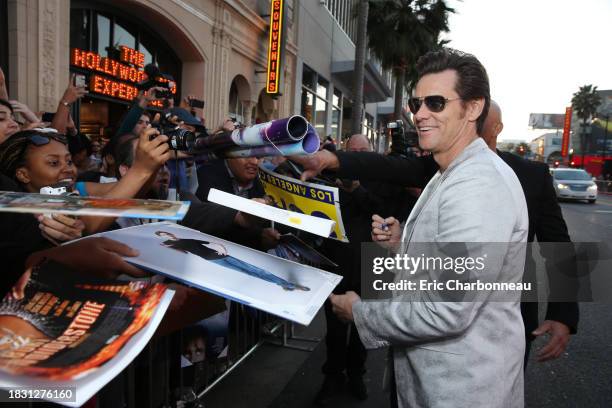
[(123, 74)]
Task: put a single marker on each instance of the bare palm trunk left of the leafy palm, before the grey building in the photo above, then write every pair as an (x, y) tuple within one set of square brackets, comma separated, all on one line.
[(360, 53)]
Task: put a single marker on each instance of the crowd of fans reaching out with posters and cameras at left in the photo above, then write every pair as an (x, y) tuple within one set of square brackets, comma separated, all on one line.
[(39, 150)]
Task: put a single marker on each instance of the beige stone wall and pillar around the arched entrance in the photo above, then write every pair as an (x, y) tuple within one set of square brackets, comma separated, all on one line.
[(215, 39)]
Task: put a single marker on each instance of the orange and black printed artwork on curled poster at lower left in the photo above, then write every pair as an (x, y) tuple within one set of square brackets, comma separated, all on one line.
[(63, 328)]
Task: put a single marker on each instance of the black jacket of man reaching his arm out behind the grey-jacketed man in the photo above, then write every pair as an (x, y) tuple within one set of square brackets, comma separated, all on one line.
[(546, 221)]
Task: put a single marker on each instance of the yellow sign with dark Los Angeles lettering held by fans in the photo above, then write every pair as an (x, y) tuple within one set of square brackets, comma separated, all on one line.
[(306, 198)]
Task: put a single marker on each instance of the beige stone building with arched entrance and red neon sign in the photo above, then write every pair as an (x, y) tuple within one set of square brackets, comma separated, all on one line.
[(214, 50)]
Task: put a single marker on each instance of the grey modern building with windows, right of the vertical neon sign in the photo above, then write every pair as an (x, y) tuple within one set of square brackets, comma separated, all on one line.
[(325, 66)]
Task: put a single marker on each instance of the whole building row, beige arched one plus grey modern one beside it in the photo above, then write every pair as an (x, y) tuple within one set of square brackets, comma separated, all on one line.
[(214, 50)]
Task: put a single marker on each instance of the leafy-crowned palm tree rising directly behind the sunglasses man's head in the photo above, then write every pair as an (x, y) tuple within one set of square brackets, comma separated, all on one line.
[(400, 31)]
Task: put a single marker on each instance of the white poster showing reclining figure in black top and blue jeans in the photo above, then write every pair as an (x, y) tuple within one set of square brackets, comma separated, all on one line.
[(257, 279)]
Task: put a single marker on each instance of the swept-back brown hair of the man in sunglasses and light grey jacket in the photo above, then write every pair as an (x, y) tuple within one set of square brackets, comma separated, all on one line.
[(472, 78)]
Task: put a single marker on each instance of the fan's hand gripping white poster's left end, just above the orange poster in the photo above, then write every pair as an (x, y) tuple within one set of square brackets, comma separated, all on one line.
[(100, 257)]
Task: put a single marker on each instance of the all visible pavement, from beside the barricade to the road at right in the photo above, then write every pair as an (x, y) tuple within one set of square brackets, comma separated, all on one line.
[(280, 377)]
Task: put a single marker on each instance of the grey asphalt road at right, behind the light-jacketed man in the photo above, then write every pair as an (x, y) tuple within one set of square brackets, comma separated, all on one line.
[(581, 377)]
